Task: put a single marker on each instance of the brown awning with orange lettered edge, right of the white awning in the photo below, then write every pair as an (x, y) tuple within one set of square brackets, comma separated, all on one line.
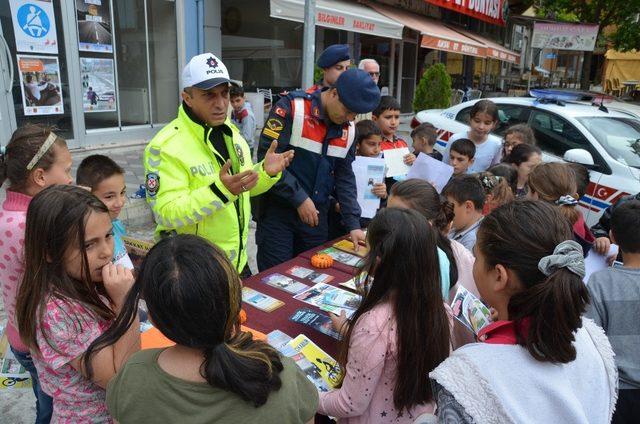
[(434, 34)]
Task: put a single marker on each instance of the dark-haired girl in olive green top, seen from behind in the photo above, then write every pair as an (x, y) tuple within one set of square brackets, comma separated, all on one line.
[(215, 372)]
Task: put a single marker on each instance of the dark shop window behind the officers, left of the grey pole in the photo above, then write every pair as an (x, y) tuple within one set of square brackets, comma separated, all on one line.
[(261, 51)]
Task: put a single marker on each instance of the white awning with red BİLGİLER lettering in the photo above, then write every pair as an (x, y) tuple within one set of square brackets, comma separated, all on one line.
[(339, 15)]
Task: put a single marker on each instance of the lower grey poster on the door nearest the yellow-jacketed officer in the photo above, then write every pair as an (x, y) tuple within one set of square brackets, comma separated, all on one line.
[(98, 85)]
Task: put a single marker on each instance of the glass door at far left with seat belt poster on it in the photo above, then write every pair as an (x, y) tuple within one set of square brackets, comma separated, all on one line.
[(32, 46)]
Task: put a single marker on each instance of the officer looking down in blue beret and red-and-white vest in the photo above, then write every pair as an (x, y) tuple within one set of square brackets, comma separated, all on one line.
[(318, 127)]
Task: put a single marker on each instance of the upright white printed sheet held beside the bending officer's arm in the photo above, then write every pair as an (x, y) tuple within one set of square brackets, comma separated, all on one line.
[(368, 171)]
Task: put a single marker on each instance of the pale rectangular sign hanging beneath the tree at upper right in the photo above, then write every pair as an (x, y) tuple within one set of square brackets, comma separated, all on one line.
[(555, 36)]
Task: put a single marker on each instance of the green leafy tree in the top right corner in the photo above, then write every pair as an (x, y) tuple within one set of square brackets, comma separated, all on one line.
[(621, 15)]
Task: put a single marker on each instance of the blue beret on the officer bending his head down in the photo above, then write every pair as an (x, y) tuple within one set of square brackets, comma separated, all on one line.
[(357, 91)]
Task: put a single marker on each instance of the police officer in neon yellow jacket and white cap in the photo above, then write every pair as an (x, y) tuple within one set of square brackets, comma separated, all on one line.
[(199, 174)]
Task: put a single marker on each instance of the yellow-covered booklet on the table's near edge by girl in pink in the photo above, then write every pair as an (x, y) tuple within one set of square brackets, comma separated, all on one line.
[(321, 369)]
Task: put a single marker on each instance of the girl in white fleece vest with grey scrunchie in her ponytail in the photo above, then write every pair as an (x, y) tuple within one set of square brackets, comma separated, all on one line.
[(530, 272)]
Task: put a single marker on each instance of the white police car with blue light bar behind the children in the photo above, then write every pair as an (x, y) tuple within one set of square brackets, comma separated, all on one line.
[(606, 141)]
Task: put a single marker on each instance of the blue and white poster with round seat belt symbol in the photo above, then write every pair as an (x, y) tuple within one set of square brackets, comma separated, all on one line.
[(34, 26)]
